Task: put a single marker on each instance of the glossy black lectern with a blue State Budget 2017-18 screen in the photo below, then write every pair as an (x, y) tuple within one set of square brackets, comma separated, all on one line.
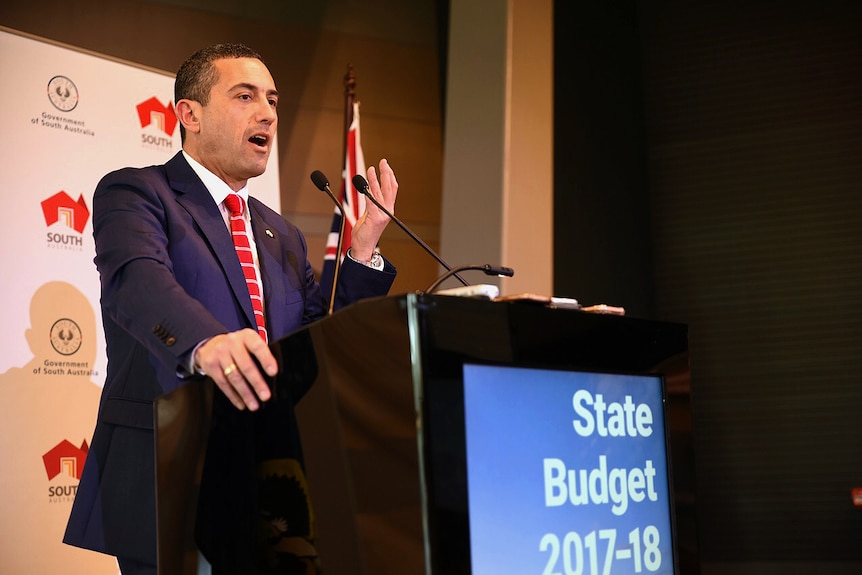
[(441, 433)]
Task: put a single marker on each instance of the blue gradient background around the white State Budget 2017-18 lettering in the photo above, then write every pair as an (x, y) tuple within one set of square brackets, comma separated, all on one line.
[(514, 419)]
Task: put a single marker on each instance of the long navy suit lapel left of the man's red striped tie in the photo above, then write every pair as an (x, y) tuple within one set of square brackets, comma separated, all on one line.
[(197, 201)]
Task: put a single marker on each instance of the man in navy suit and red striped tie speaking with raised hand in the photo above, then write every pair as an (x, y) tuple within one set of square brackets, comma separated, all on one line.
[(175, 300)]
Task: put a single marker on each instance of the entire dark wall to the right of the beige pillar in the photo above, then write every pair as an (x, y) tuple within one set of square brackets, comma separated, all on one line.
[(747, 118)]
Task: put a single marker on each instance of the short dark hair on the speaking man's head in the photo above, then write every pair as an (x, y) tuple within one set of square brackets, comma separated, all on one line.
[(198, 74)]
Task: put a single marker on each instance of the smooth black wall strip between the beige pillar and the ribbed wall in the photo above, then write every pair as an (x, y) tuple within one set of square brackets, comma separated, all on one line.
[(601, 206)]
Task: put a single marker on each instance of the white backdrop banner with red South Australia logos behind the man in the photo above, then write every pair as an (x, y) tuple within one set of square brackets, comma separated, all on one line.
[(67, 117)]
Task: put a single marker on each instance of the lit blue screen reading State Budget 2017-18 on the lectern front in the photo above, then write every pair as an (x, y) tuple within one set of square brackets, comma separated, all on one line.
[(548, 471)]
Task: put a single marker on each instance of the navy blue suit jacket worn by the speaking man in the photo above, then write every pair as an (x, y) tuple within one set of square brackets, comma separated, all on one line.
[(170, 279)]
